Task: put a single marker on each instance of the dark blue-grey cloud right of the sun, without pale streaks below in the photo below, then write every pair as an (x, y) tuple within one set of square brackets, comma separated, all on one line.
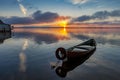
[(101, 15)]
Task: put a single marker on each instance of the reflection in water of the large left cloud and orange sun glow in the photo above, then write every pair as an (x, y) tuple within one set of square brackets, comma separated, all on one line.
[(45, 35)]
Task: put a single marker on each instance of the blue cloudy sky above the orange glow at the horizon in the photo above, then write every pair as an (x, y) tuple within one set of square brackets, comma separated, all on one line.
[(37, 11)]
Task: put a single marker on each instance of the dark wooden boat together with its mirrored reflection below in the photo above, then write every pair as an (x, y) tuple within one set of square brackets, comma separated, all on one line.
[(72, 58)]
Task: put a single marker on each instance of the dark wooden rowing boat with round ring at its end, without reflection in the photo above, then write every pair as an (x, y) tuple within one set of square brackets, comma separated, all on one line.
[(77, 51)]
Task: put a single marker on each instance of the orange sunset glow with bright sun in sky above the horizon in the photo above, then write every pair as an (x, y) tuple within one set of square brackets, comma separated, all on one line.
[(61, 21)]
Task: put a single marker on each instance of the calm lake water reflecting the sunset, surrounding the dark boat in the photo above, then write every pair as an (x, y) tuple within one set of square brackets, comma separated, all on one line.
[(27, 54)]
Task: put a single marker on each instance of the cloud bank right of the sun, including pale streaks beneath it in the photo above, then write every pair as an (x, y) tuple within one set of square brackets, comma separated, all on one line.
[(100, 16)]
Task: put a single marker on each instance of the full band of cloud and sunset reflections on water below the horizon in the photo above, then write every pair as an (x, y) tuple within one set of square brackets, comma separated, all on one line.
[(52, 35)]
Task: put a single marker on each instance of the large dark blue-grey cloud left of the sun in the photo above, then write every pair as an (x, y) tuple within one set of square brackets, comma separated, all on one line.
[(36, 17)]
